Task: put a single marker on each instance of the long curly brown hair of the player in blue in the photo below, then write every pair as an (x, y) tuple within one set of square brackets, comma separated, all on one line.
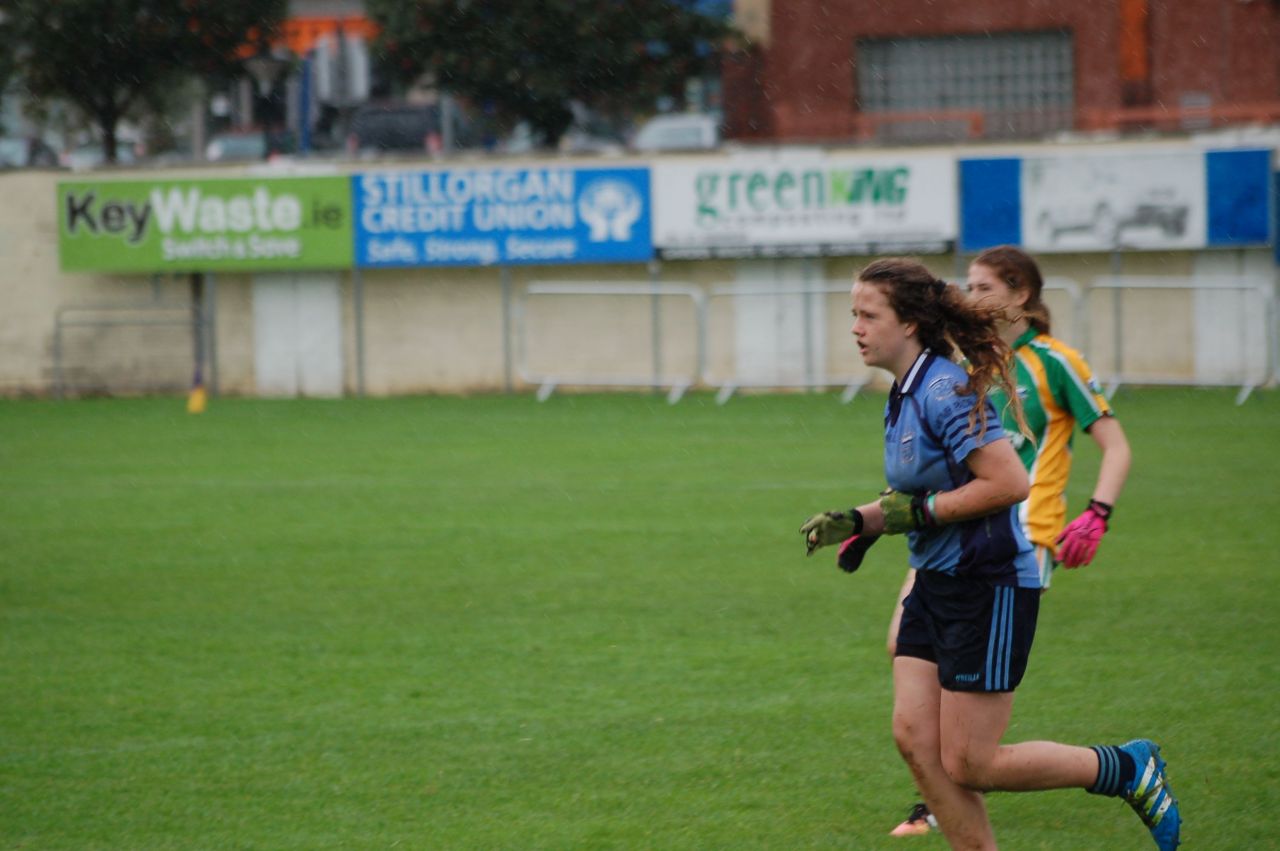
[(948, 322)]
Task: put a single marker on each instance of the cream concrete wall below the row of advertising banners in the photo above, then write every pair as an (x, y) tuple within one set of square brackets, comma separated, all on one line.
[(446, 331)]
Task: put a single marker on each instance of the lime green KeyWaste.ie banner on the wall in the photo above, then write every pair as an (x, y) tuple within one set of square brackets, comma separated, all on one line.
[(240, 225)]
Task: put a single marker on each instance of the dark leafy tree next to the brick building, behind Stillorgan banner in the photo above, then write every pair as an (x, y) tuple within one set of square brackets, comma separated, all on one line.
[(529, 61)]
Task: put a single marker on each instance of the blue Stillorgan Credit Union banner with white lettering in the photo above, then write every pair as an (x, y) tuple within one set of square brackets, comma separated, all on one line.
[(484, 217)]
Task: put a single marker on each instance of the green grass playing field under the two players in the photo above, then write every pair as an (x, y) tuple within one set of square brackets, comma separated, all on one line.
[(586, 624)]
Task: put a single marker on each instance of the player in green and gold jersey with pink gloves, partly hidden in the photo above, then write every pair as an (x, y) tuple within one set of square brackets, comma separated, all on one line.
[(1058, 394)]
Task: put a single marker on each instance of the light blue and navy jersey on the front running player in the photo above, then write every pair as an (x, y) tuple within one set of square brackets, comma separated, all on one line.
[(927, 438)]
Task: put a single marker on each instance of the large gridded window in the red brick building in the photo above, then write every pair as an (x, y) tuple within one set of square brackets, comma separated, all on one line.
[(1022, 83)]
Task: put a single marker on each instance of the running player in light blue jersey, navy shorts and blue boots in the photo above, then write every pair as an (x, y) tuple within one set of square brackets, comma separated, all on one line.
[(954, 487)]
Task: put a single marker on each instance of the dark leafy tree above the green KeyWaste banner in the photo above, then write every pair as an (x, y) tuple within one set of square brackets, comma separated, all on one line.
[(108, 57)]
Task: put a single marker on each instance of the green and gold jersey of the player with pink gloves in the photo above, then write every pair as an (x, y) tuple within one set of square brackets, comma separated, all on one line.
[(1058, 392)]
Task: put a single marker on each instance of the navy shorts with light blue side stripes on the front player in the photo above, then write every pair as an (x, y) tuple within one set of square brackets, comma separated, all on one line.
[(979, 634)]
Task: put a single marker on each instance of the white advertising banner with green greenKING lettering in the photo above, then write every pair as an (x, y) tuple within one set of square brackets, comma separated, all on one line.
[(806, 203)]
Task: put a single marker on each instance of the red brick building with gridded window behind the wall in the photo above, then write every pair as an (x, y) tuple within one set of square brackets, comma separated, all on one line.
[(936, 70)]
